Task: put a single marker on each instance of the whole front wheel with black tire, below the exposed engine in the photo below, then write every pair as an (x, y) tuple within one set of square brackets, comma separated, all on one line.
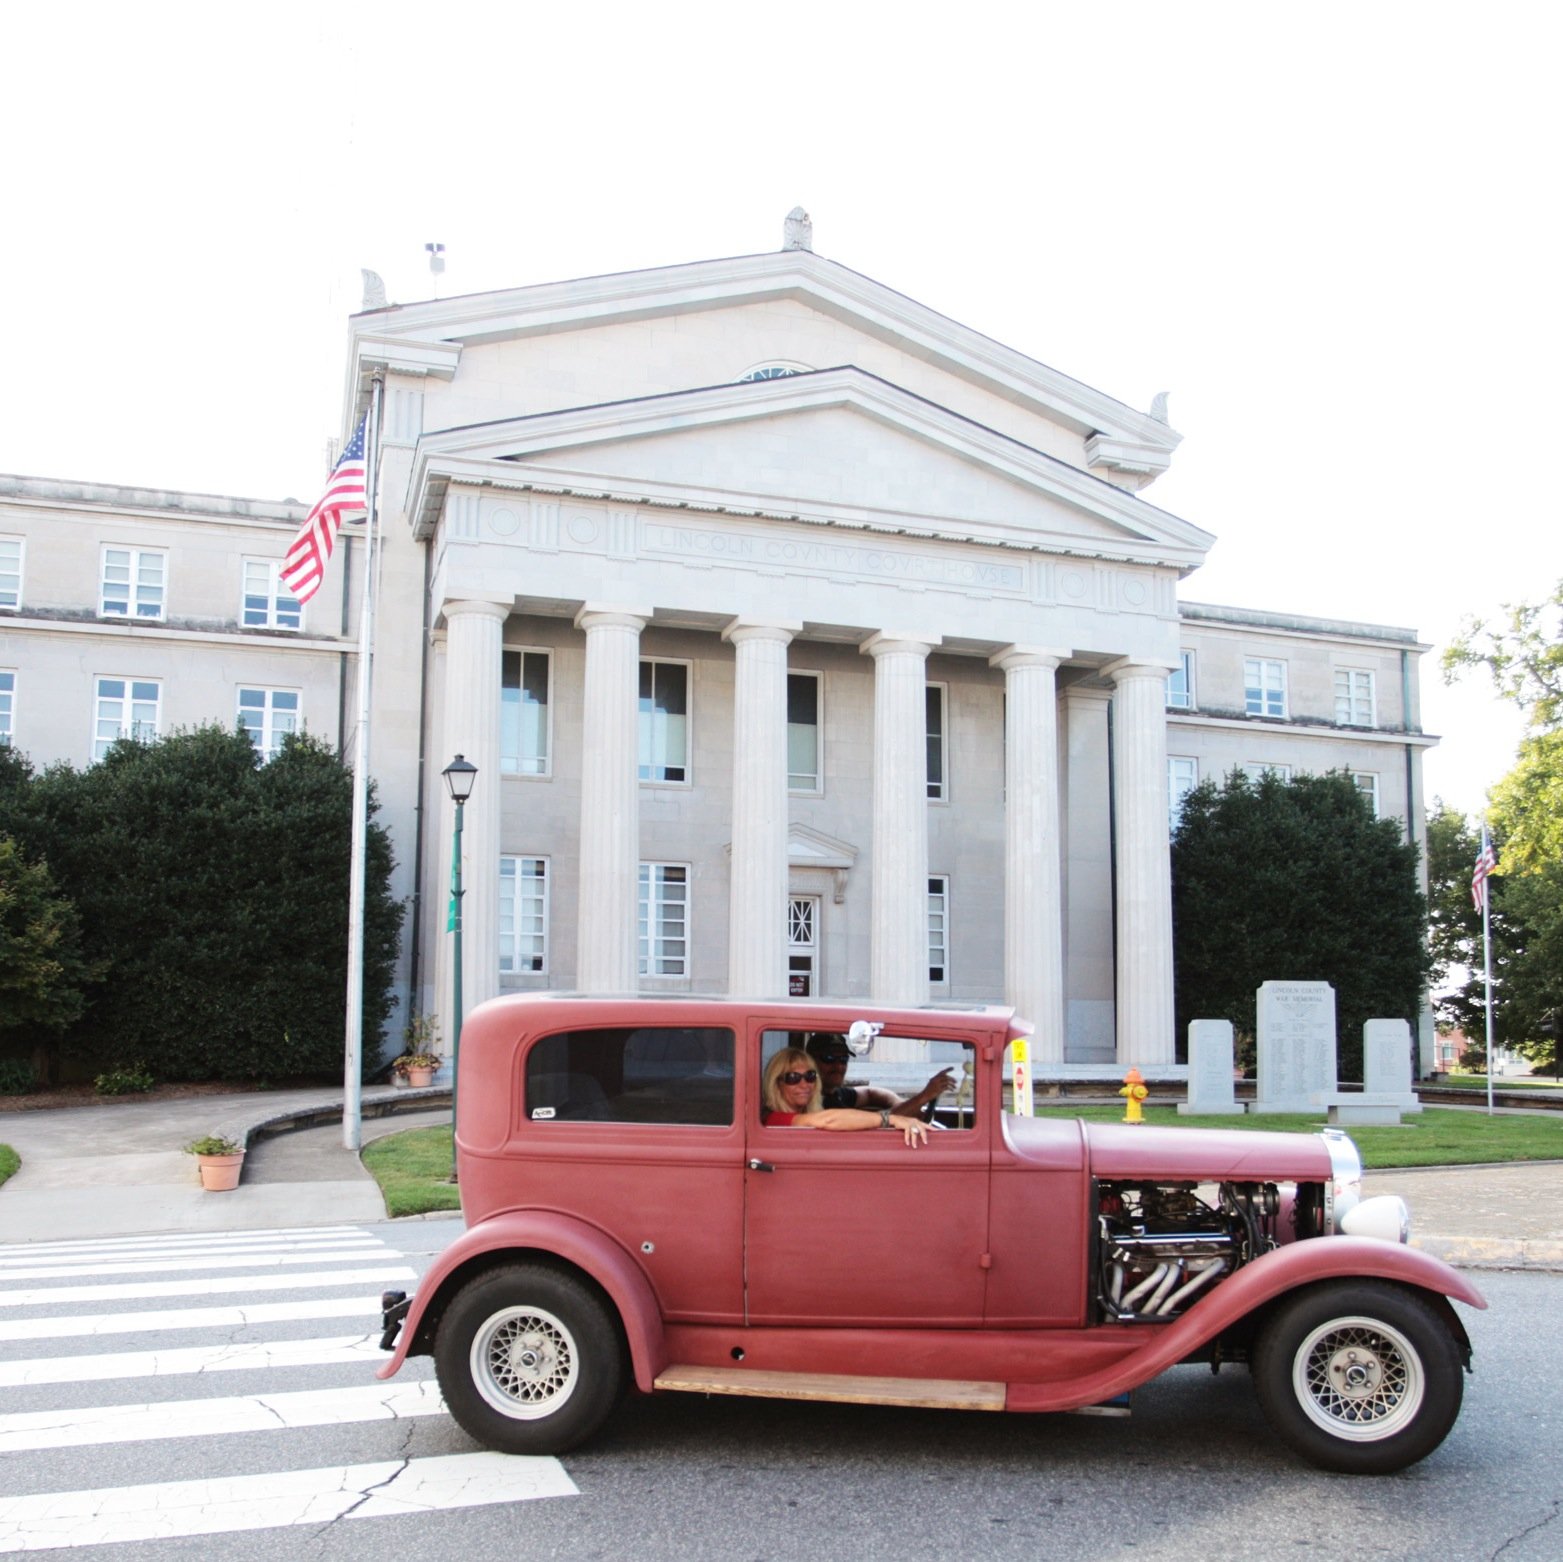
[(1359, 1377)]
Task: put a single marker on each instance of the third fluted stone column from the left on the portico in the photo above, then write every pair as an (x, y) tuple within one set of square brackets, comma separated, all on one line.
[(757, 895)]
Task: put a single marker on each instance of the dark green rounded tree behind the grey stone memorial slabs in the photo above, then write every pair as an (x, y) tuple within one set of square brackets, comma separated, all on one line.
[(1295, 881)]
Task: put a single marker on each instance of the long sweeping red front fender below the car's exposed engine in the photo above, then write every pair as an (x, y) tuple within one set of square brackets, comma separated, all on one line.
[(1253, 1288)]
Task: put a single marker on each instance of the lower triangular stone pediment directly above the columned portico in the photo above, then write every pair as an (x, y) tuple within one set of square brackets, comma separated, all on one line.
[(837, 446)]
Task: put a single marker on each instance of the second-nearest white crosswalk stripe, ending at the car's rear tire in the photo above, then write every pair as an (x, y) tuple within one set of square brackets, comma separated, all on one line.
[(140, 1424)]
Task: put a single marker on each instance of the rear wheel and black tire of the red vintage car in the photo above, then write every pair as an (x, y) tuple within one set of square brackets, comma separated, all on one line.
[(529, 1360)]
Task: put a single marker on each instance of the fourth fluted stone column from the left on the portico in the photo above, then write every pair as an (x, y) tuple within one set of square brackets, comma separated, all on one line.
[(900, 920)]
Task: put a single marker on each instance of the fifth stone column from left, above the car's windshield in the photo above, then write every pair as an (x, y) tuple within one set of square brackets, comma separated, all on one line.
[(1034, 964)]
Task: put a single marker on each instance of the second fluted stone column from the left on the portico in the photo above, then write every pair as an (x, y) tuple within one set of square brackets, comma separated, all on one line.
[(610, 862)]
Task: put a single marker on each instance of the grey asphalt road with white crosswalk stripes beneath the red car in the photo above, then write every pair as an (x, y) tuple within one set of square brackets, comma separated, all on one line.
[(1193, 1475)]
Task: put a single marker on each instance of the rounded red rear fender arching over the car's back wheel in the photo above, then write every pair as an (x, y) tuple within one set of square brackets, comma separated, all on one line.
[(546, 1234)]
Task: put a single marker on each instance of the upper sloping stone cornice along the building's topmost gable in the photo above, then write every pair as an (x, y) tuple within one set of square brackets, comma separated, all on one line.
[(1136, 439)]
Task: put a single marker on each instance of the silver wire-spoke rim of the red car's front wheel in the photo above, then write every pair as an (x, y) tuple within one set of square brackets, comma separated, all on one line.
[(1359, 1378)]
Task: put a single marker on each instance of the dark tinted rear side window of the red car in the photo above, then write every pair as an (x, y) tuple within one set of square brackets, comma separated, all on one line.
[(623, 1075)]
